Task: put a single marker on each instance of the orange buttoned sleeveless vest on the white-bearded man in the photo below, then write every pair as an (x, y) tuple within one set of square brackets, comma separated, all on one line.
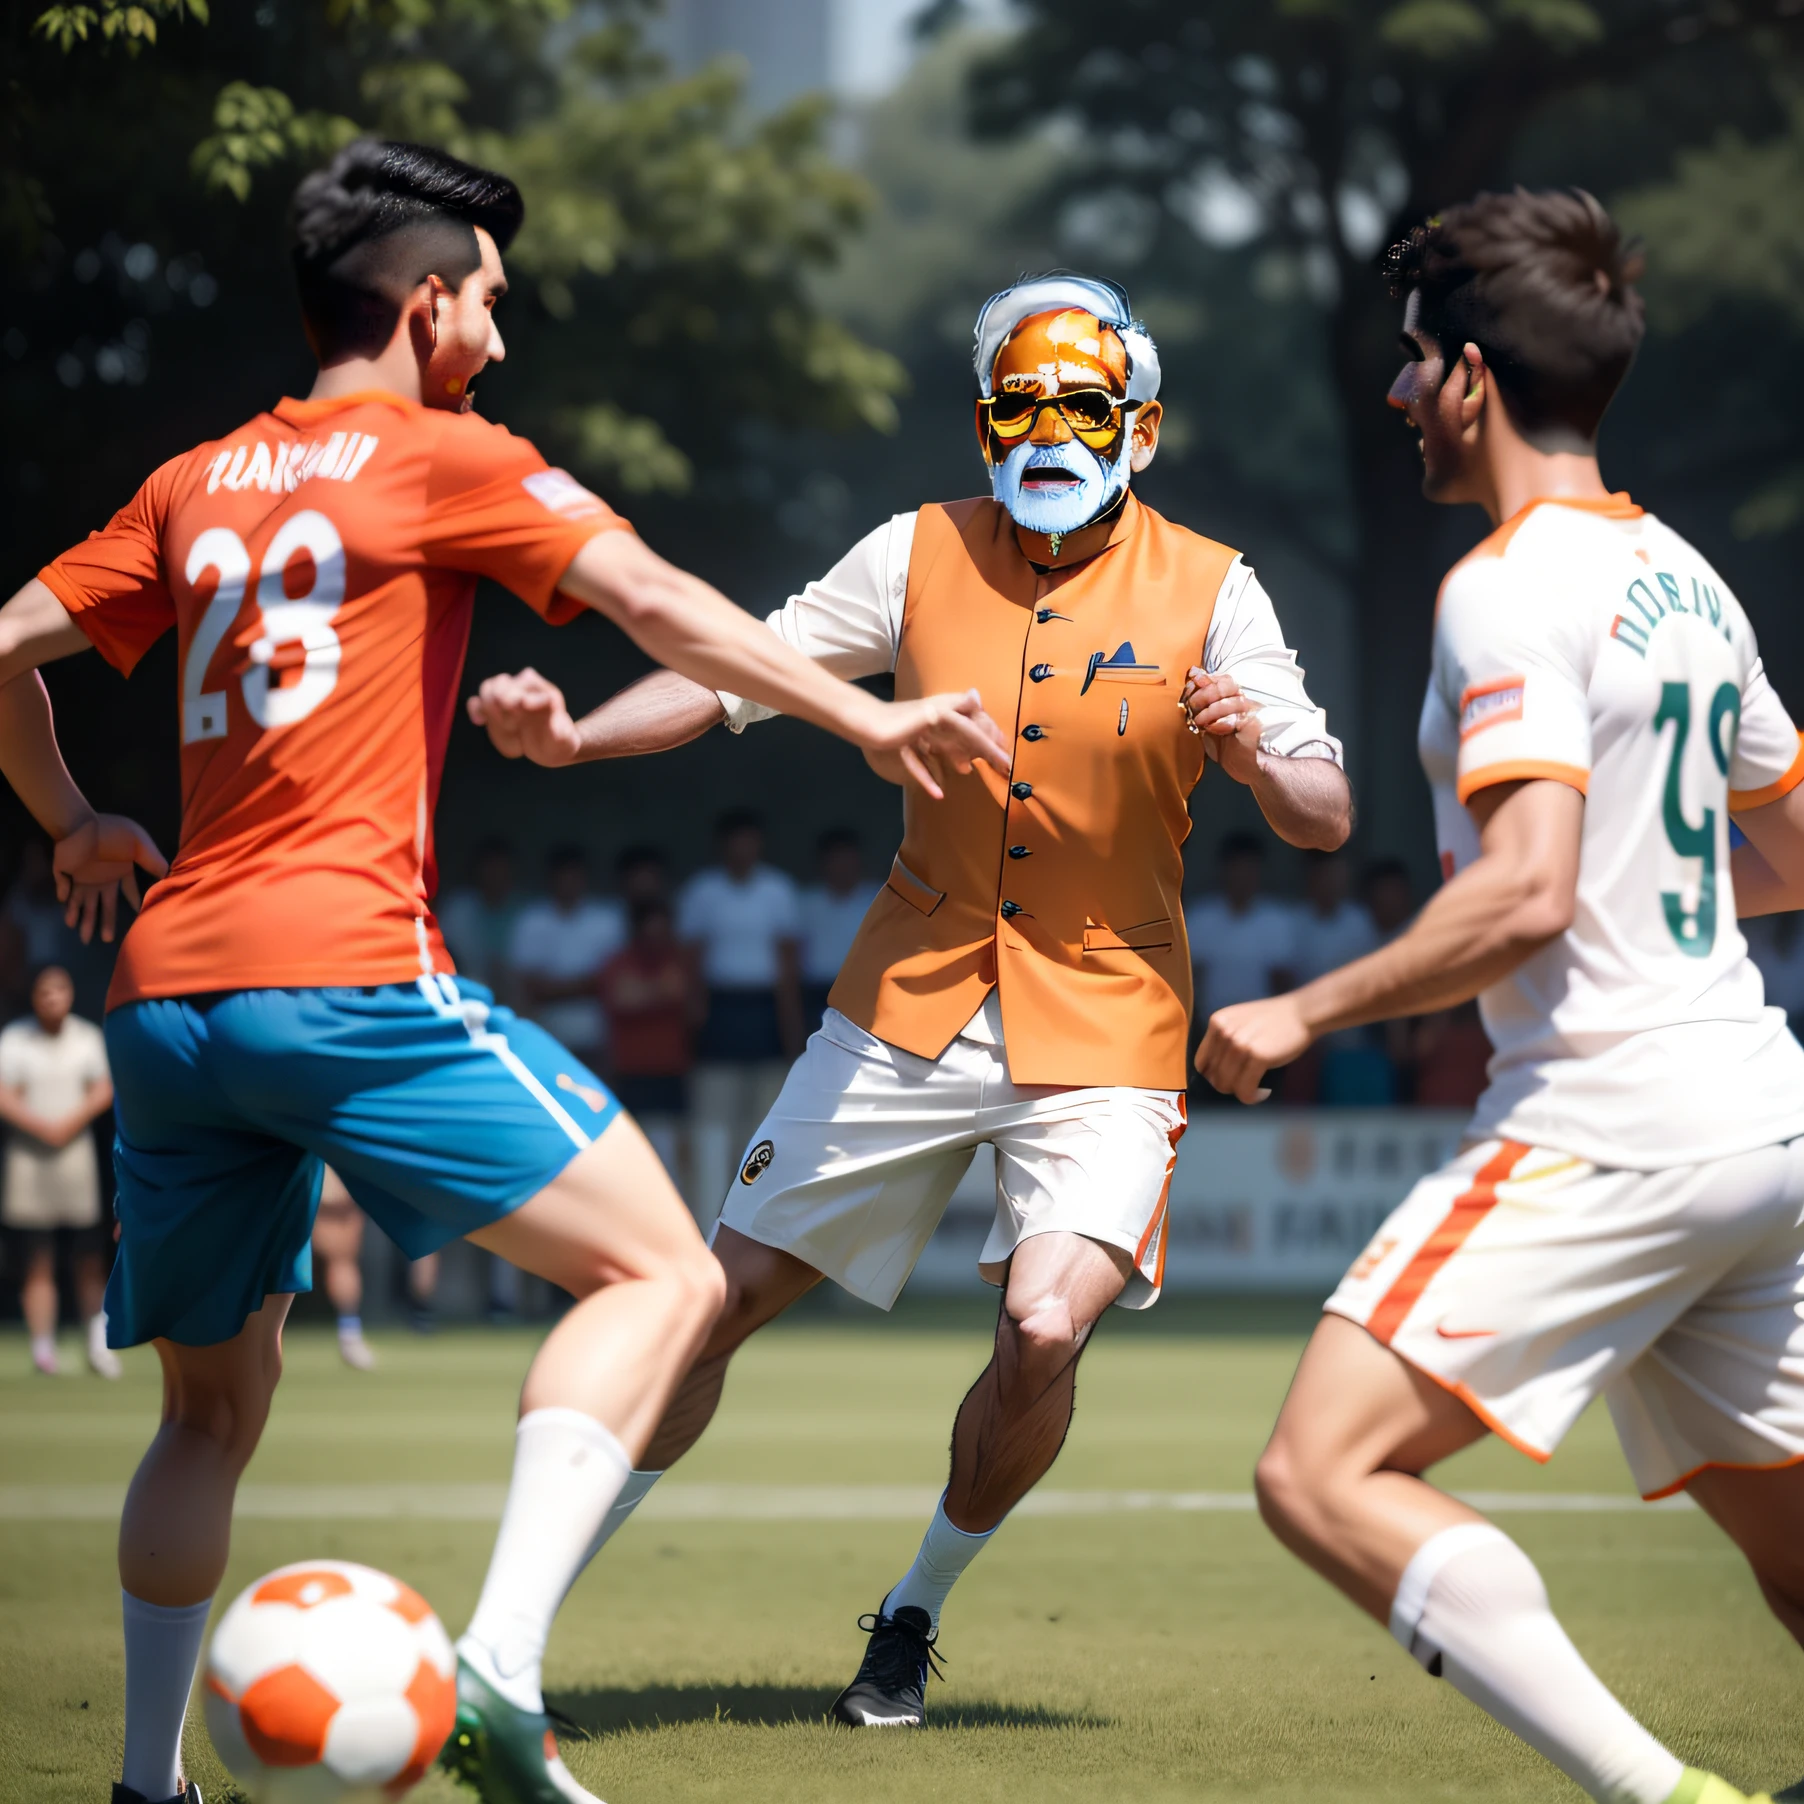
[(1063, 885)]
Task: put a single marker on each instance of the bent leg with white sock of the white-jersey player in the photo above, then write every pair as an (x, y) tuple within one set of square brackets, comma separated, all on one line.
[(1341, 1487)]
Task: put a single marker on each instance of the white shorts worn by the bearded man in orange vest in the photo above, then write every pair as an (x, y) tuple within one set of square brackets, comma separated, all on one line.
[(858, 1159)]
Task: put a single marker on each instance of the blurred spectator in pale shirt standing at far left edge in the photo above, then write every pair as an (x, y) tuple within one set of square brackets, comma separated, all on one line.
[(53, 1087)]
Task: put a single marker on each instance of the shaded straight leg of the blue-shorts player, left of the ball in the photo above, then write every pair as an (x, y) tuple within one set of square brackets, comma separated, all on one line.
[(176, 1531)]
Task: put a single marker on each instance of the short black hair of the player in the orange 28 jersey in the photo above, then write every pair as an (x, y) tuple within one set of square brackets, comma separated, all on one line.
[(376, 223)]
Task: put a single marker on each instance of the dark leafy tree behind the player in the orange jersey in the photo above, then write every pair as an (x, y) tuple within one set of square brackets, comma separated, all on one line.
[(661, 329)]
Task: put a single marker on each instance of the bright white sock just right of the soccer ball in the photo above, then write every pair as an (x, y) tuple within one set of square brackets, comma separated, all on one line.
[(567, 1473)]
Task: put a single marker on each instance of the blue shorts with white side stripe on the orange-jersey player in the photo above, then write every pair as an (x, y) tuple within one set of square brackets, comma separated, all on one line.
[(439, 1110)]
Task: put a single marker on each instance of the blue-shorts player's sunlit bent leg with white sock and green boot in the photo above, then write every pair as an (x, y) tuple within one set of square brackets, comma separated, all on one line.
[(614, 1233)]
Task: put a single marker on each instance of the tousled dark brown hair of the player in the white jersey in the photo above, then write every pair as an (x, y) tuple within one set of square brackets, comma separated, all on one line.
[(1545, 286)]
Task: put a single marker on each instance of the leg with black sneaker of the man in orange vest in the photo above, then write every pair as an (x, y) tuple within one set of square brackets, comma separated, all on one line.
[(1006, 1439)]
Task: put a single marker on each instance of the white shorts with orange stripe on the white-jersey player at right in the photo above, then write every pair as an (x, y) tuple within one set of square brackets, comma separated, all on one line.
[(1529, 1282)]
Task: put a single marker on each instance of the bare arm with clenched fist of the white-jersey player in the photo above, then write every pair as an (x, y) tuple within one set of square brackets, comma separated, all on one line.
[(1495, 916)]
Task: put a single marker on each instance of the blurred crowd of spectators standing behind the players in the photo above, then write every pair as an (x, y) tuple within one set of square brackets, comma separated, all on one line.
[(690, 999)]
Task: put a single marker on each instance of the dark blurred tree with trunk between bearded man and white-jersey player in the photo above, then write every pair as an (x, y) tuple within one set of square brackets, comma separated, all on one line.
[(1311, 133)]
